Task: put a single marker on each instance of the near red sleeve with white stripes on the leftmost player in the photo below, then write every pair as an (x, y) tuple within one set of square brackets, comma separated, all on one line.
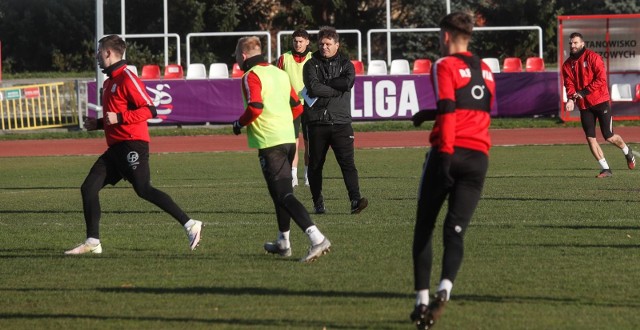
[(140, 106)]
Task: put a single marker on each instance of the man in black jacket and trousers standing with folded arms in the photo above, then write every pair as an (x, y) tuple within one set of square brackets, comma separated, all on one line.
[(329, 77)]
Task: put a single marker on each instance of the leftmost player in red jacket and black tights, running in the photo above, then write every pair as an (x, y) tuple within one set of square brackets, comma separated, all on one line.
[(126, 107)]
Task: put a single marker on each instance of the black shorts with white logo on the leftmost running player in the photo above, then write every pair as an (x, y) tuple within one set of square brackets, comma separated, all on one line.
[(127, 160)]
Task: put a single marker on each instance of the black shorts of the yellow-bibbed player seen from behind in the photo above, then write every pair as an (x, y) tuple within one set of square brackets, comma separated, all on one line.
[(275, 161)]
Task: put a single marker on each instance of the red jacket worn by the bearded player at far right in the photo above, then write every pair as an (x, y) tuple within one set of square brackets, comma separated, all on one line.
[(587, 74)]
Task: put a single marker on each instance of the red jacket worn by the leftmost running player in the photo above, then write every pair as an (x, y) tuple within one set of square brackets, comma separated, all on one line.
[(125, 94)]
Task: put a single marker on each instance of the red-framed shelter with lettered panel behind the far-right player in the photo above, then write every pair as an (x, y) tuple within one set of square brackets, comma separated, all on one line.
[(617, 39)]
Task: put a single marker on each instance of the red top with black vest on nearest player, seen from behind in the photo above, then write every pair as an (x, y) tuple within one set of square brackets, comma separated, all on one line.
[(463, 115)]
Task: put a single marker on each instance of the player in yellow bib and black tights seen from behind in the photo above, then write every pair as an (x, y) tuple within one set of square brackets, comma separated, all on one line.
[(271, 104)]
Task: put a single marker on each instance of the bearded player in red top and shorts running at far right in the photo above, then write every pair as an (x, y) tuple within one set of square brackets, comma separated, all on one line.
[(585, 80)]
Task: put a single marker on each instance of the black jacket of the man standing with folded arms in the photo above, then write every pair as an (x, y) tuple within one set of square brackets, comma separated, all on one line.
[(330, 80)]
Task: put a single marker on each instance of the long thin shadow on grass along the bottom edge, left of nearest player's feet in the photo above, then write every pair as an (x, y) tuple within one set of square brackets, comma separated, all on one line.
[(237, 322)]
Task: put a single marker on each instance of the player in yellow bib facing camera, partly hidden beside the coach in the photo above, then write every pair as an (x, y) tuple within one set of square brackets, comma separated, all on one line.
[(292, 63)]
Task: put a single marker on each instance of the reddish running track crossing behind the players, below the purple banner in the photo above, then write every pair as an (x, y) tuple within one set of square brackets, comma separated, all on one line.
[(213, 143)]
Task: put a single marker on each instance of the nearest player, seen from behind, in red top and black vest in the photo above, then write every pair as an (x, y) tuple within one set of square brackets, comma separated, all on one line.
[(456, 165)]
